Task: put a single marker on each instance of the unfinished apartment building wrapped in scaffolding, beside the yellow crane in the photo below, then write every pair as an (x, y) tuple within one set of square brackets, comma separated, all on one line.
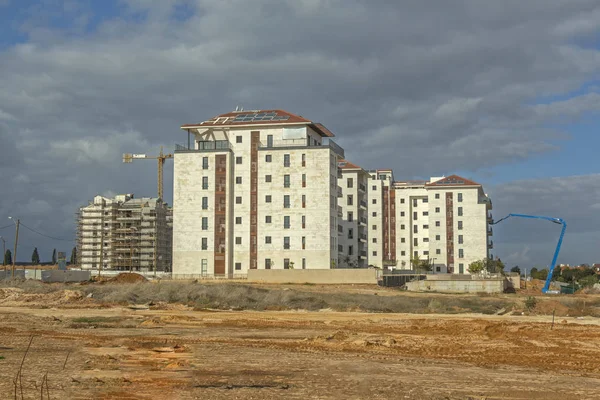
[(125, 233)]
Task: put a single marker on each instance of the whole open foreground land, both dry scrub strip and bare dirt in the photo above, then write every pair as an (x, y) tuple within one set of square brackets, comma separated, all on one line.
[(128, 338)]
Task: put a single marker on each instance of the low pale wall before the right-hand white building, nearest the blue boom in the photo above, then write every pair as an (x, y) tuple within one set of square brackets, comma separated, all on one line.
[(457, 286)]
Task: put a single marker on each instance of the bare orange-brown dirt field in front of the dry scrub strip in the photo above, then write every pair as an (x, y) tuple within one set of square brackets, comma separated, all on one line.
[(174, 352)]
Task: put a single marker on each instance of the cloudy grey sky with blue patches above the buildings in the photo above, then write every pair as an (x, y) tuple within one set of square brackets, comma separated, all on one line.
[(506, 93)]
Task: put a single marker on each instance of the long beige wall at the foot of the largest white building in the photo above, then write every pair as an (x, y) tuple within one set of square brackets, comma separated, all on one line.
[(331, 276)]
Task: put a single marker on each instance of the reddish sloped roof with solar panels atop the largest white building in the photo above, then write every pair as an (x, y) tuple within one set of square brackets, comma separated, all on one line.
[(259, 118)]
